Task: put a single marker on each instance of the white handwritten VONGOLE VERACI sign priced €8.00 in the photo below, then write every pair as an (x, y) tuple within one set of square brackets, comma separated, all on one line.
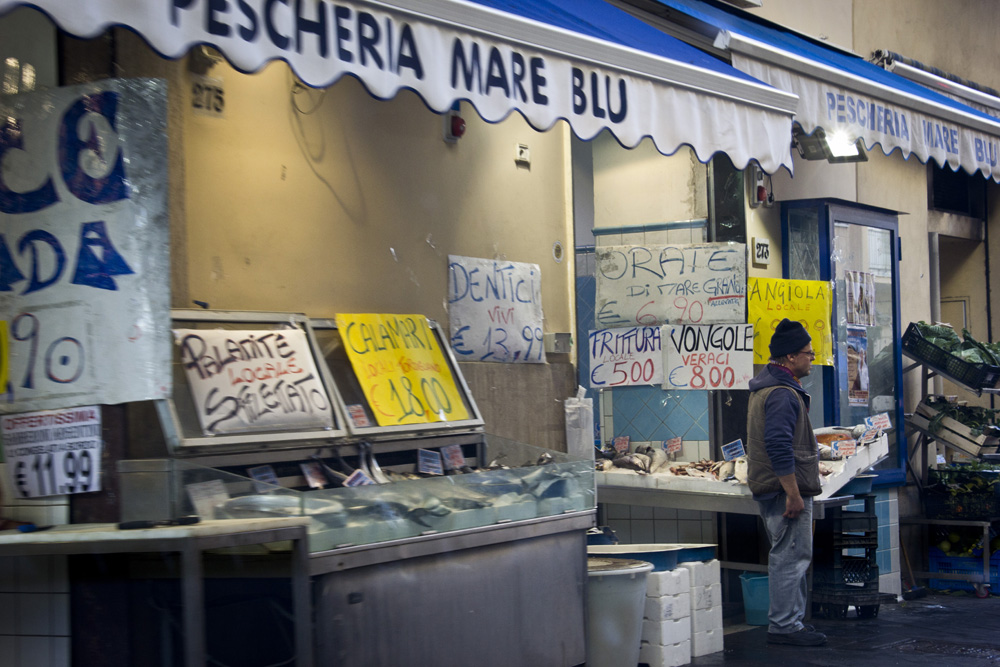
[(716, 356)]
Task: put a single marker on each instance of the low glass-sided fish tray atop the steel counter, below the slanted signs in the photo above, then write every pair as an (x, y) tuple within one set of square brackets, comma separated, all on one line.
[(523, 482)]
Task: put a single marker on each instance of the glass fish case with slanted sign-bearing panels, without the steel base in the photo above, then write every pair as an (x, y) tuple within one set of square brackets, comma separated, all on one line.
[(359, 479)]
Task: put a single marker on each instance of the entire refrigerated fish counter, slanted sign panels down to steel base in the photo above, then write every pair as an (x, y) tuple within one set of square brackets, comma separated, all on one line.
[(498, 533)]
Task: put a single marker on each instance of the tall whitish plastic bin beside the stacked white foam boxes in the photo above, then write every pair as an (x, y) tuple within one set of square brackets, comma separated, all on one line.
[(616, 596)]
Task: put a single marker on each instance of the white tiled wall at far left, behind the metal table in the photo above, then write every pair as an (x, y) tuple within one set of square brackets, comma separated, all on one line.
[(34, 591)]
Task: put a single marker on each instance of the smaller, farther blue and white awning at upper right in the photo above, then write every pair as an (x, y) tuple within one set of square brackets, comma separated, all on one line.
[(839, 90)]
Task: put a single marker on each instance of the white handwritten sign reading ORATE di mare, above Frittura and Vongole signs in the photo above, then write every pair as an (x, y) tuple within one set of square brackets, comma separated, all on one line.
[(675, 284)]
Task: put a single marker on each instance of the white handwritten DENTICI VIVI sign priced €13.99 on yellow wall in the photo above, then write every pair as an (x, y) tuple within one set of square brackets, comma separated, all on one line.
[(495, 309)]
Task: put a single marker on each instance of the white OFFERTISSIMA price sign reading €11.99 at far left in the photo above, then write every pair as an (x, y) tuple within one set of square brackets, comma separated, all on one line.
[(53, 452)]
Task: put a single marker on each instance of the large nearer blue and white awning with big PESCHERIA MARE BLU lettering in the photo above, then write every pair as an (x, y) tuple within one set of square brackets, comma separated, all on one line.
[(582, 61)]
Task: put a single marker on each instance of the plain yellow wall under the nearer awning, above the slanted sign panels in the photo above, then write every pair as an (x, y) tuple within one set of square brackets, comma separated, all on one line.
[(333, 201)]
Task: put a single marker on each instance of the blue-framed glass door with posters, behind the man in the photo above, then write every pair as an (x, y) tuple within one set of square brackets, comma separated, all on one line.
[(856, 247)]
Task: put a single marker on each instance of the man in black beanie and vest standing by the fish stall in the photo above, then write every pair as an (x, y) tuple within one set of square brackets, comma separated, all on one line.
[(783, 474)]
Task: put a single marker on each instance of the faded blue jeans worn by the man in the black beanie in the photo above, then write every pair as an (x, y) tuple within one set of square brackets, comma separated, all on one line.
[(788, 563)]
